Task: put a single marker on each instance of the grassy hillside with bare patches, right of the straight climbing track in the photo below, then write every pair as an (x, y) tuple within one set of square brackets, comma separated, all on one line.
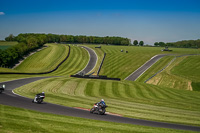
[(182, 73)]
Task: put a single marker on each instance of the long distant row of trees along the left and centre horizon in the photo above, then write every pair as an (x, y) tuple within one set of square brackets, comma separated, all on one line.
[(52, 38)]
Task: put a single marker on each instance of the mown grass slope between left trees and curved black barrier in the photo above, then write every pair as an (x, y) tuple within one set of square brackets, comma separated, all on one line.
[(44, 60)]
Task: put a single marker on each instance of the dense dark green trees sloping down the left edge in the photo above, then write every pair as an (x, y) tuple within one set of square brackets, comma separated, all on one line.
[(26, 43)]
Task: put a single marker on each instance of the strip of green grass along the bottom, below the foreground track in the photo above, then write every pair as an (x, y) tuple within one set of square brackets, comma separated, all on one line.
[(27, 121)]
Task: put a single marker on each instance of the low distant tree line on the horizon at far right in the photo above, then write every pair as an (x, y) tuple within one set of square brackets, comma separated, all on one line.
[(180, 44)]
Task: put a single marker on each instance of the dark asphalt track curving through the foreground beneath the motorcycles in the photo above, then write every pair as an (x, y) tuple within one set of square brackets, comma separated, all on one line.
[(11, 99)]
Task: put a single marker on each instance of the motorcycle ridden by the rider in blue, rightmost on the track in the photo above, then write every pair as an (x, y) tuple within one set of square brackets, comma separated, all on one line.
[(98, 108)]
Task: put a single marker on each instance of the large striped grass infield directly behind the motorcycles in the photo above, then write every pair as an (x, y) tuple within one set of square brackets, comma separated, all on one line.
[(130, 99)]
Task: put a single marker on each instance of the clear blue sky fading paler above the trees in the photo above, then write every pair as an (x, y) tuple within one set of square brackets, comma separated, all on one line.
[(147, 20)]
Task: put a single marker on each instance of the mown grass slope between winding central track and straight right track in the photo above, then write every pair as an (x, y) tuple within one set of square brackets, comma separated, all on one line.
[(120, 64)]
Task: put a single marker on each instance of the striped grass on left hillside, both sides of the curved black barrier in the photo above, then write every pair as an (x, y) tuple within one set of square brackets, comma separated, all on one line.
[(72, 65)]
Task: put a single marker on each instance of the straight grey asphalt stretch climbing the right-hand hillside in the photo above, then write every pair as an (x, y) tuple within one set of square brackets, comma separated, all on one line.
[(136, 74)]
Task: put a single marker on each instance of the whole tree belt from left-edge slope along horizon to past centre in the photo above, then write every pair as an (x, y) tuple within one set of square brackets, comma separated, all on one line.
[(29, 41)]
